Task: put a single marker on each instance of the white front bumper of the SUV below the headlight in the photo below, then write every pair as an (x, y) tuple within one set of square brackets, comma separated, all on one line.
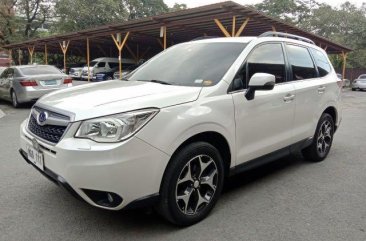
[(131, 169)]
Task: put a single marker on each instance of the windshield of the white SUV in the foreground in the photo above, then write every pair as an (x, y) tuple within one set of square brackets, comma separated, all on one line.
[(190, 64)]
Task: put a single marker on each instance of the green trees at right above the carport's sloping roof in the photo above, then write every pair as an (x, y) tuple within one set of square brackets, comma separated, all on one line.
[(345, 25)]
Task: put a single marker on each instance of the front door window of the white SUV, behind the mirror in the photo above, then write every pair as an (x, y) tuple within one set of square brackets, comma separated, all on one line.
[(267, 58)]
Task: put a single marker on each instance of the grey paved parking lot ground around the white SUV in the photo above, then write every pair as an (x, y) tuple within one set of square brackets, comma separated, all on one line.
[(285, 200)]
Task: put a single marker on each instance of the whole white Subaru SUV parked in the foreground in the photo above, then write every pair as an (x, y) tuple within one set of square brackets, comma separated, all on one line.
[(196, 113)]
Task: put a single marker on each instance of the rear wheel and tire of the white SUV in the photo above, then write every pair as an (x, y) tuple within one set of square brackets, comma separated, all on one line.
[(322, 140)]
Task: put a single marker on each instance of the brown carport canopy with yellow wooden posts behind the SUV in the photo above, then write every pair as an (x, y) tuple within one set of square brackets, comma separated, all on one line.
[(142, 38)]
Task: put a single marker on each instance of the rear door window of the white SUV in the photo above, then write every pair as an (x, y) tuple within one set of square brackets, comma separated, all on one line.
[(301, 62)]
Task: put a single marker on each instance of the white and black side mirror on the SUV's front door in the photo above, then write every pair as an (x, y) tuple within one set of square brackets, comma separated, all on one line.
[(260, 81)]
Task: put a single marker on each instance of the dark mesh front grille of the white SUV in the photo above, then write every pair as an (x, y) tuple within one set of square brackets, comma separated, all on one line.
[(51, 133)]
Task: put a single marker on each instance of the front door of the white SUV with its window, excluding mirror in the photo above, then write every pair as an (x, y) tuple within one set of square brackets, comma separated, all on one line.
[(264, 124)]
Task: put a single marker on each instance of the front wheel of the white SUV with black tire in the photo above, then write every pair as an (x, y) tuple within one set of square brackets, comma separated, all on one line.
[(172, 206)]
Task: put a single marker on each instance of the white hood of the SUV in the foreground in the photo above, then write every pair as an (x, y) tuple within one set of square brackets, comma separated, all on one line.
[(115, 96)]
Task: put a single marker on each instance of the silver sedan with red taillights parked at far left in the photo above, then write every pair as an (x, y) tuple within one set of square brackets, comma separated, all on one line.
[(27, 83)]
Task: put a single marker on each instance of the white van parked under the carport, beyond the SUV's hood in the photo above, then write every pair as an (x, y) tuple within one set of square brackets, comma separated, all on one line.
[(103, 65)]
